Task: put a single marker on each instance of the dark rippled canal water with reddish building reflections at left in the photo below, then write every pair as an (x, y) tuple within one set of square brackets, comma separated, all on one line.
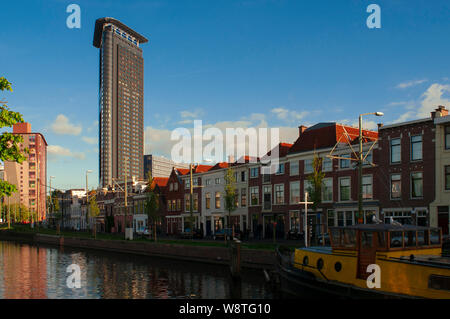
[(28, 271)]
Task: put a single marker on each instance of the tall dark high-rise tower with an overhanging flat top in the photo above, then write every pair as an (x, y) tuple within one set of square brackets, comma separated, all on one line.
[(121, 101)]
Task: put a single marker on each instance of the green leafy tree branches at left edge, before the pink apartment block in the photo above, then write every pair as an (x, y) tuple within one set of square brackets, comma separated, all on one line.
[(9, 143)]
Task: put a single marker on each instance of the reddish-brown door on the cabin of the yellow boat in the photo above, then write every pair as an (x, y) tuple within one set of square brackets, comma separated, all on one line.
[(366, 253)]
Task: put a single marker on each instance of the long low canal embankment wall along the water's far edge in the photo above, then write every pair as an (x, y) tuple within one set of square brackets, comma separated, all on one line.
[(250, 258)]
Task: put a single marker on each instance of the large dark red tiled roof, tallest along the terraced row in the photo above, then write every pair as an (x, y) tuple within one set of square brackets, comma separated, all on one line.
[(326, 135)]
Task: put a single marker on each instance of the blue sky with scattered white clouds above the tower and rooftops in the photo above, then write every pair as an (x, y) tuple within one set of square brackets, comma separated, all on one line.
[(229, 63)]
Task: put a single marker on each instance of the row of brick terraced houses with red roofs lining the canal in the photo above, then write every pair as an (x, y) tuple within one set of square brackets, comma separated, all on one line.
[(406, 177)]
